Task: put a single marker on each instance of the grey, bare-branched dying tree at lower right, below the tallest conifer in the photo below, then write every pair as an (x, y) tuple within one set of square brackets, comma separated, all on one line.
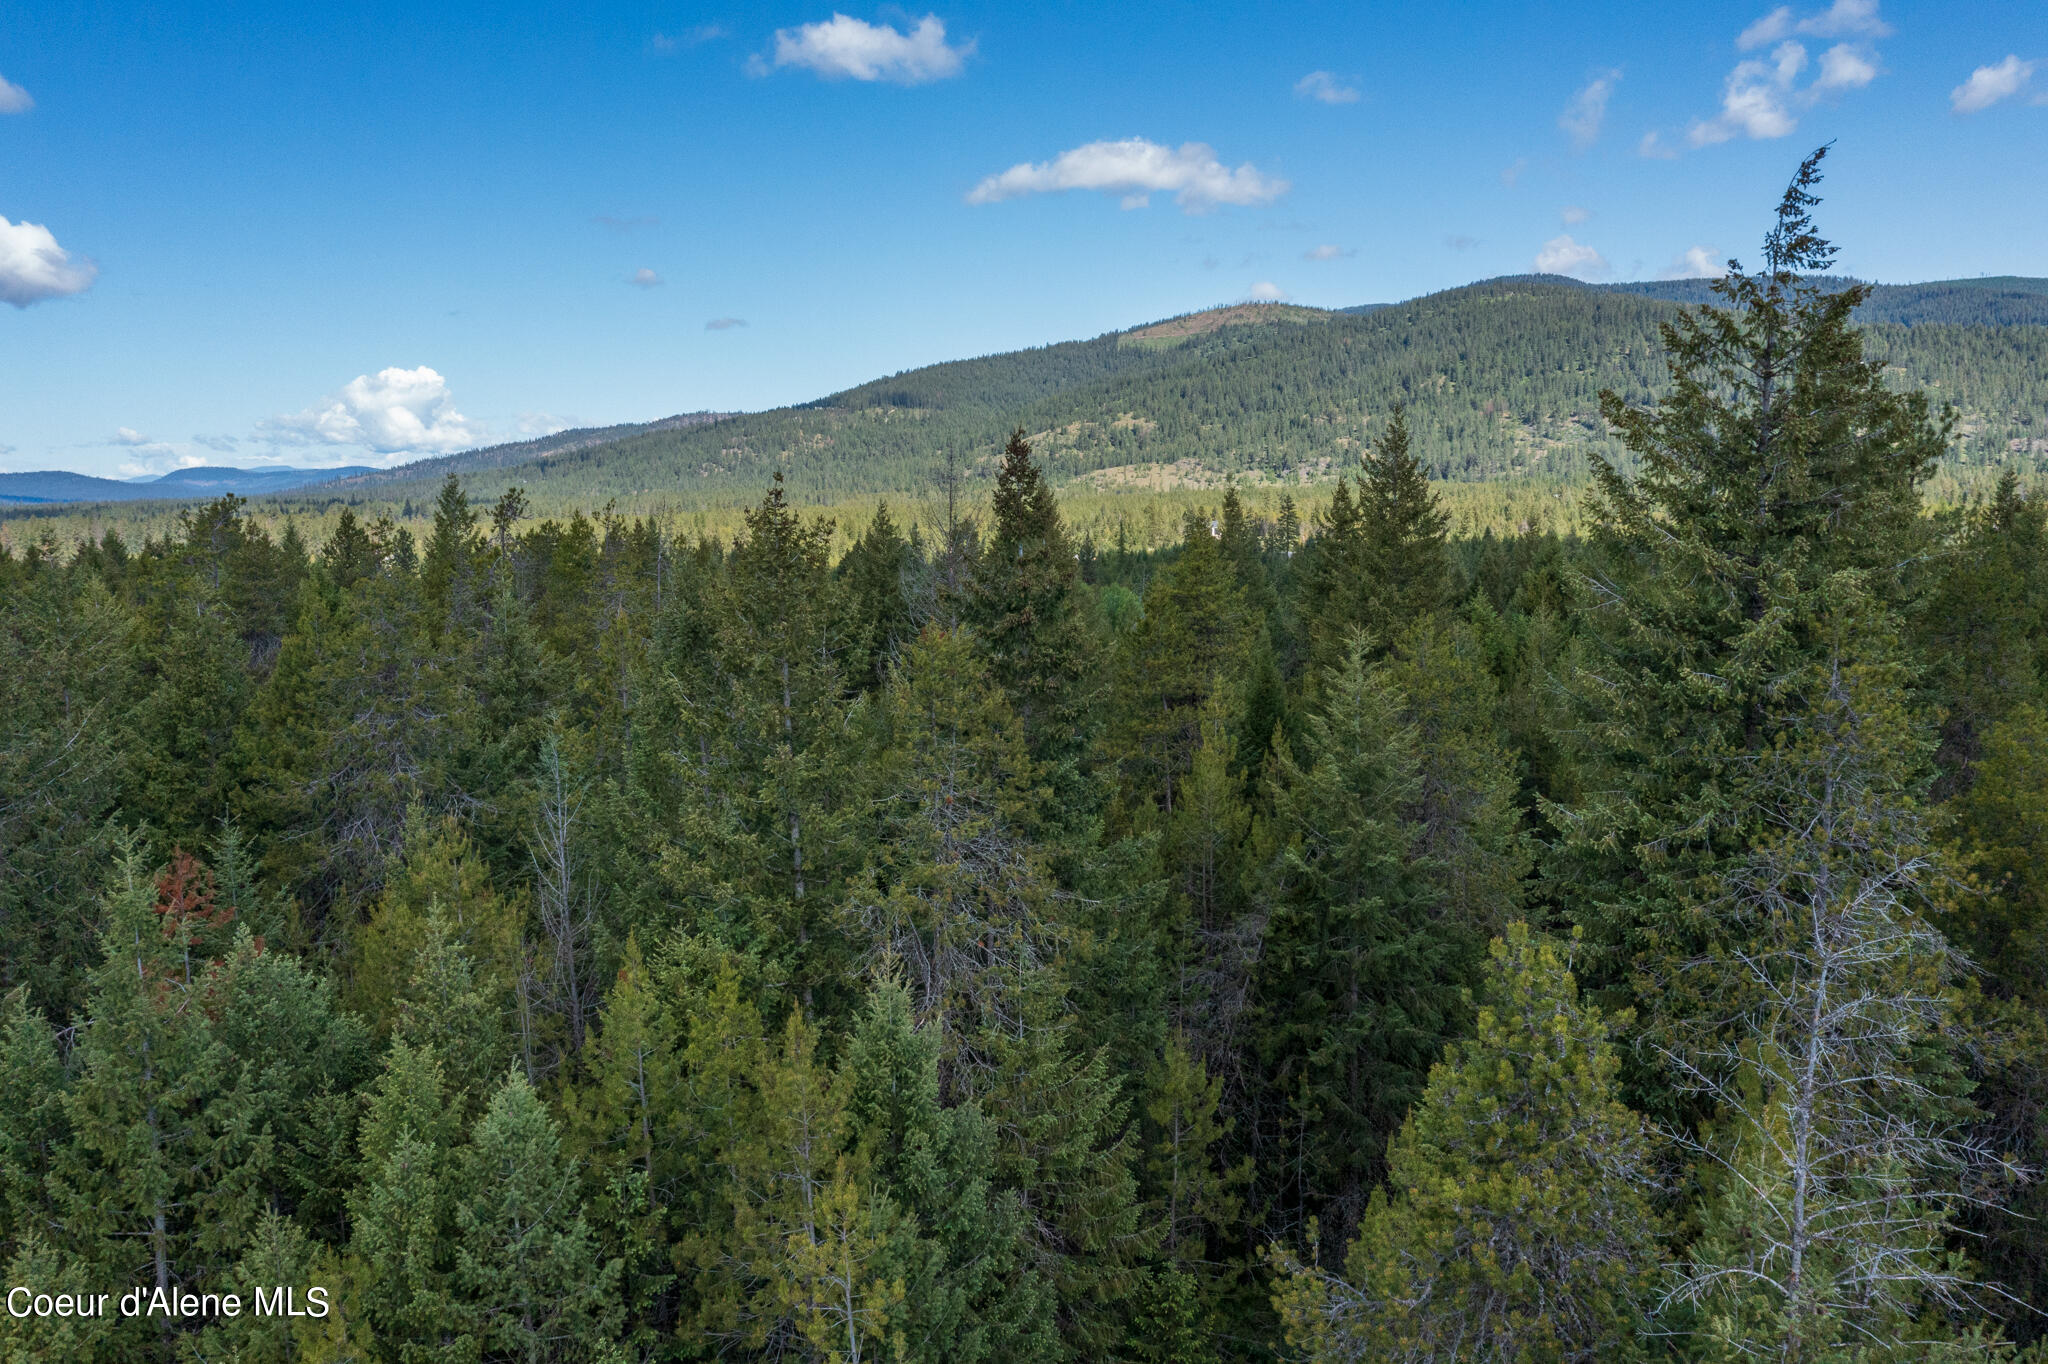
[(1840, 1156)]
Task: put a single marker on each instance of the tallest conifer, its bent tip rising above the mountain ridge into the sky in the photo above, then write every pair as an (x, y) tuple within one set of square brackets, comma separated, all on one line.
[(1779, 458)]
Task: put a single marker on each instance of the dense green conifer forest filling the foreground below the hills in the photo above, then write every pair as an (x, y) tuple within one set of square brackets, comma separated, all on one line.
[(1322, 939)]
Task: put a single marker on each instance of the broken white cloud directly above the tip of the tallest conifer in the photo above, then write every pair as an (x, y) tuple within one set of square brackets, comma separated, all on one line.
[(1764, 95)]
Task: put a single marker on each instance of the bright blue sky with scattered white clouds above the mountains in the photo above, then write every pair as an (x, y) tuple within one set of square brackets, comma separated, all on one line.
[(245, 232)]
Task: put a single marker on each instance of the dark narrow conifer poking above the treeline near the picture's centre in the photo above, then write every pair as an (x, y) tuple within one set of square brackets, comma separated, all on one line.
[(1025, 605)]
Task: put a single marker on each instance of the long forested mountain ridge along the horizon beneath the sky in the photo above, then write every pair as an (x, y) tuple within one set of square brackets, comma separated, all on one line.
[(1500, 378)]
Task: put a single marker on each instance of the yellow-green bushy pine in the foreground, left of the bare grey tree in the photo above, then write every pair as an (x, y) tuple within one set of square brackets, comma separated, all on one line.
[(1517, 1224)]
